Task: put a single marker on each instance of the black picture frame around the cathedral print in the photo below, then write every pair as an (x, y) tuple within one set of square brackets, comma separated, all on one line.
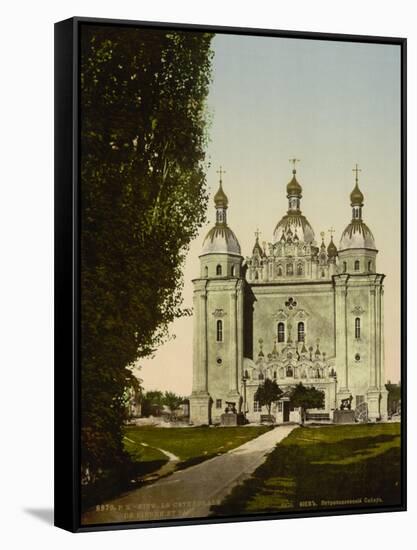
[(67, 269)]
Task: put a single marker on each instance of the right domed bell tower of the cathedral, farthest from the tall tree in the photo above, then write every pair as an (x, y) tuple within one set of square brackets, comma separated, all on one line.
[(359, 299)]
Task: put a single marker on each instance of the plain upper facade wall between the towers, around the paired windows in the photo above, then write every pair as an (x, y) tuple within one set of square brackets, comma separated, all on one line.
[(316, 300)]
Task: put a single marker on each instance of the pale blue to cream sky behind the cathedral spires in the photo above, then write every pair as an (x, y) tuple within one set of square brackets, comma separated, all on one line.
[(329, 104)]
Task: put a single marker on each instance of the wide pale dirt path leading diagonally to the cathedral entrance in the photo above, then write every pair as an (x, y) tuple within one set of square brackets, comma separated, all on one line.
[(191, 492)]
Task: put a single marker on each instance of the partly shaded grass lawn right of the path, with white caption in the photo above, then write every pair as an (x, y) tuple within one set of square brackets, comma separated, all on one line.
[(322, 468)]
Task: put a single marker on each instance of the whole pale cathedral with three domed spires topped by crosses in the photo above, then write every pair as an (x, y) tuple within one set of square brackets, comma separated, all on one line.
[(294, 311)]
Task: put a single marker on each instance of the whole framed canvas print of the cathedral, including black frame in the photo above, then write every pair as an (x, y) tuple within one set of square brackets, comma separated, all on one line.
[(230, 305)]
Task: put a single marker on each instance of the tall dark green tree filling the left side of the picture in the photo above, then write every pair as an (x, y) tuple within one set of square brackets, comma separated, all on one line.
[(143, 199)]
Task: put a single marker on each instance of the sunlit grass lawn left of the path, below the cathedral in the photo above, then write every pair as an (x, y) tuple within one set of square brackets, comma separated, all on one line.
[(190, 445)]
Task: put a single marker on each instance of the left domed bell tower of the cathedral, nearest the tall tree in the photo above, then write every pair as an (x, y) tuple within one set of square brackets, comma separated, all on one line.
[(218, 320)]
